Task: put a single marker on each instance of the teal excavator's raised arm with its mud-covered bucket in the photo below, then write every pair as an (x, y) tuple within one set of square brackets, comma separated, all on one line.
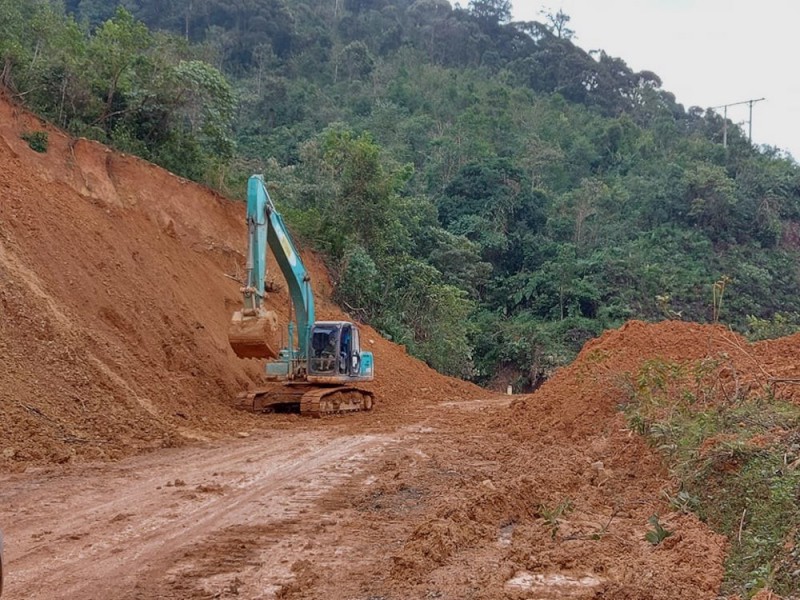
[(254, 332)]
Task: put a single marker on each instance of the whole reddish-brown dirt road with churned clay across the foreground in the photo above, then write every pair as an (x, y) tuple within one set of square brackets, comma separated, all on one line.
[(441, 504)]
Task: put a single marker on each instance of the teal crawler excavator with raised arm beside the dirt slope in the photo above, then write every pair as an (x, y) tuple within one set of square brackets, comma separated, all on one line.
[(317, 362)]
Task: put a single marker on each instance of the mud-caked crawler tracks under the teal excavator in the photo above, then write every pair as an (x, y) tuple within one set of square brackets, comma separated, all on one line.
[(312, 401)]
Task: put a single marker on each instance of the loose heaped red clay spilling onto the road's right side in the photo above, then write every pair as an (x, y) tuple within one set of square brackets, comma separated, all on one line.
[(550, 498)]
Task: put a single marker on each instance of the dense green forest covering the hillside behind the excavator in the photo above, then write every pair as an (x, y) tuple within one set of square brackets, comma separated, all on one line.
[(485, 192)]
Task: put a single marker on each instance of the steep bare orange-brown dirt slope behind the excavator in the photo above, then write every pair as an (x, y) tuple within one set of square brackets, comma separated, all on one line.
[(114, 306)]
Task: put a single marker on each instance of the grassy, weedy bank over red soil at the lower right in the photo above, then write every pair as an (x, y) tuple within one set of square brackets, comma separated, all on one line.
[(737, 457)]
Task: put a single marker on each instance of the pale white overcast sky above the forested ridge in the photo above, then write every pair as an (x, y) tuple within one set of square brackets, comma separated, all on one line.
[(706, 52)]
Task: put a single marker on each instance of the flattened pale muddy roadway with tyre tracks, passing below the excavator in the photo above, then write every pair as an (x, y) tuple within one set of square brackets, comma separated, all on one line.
[(251, 517)]
